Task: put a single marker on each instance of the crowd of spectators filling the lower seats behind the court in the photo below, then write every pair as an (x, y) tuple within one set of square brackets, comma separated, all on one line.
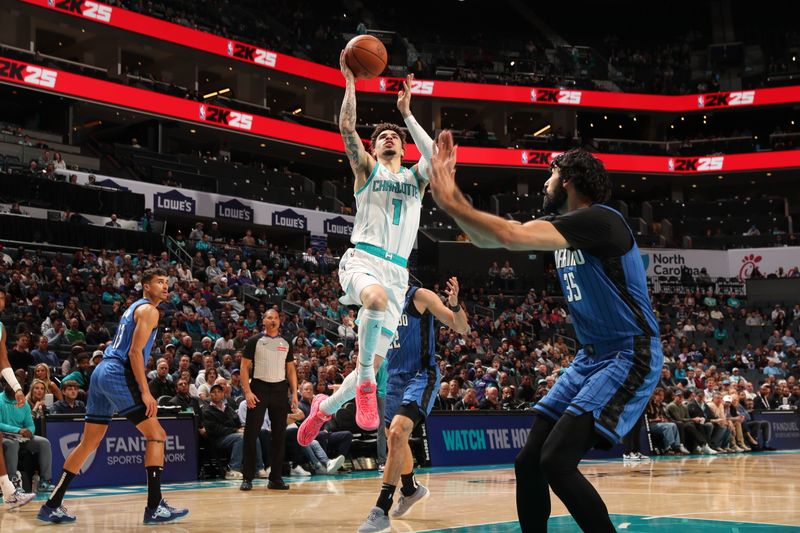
[(61, 311)]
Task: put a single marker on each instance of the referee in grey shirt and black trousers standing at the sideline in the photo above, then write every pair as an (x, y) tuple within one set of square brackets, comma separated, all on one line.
[(274, 378)]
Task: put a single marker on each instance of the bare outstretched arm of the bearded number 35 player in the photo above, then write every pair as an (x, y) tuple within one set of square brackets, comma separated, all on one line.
[(484, 230)]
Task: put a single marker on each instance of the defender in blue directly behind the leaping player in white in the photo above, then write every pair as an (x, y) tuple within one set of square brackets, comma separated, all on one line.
[(413, 381)]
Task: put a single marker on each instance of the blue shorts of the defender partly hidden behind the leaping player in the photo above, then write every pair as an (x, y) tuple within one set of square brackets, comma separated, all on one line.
[(406, 388)]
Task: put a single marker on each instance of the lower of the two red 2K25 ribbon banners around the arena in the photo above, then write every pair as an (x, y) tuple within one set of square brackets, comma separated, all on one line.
[(104, 92)]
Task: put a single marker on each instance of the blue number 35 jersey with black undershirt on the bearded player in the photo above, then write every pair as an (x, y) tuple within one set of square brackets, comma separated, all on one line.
[(602, 276)]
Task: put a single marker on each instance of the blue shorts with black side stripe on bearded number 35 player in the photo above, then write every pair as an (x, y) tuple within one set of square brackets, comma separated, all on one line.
[(612, 380)]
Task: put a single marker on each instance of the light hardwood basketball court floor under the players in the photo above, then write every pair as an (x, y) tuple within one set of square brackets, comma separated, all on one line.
[(733, 493)]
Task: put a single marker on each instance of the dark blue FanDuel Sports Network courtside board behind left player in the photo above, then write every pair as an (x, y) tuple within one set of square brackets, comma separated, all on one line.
[(119, 460)]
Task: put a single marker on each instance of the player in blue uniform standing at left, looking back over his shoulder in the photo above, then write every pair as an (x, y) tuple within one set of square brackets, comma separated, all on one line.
[(119, 385)]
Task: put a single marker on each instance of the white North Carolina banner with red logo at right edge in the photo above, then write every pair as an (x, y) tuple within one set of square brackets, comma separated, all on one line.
[(719, 263)]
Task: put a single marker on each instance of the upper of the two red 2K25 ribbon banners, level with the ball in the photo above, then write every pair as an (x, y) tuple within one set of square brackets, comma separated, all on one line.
[(206, 42)]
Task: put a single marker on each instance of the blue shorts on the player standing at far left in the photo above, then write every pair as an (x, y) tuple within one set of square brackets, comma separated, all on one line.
[(113, 389)]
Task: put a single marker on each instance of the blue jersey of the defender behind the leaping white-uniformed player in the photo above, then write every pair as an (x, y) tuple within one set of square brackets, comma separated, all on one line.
[(414, 346)]
